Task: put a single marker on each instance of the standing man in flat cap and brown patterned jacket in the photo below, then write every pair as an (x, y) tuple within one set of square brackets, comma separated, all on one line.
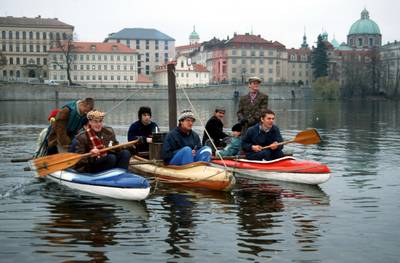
[(252, 104)]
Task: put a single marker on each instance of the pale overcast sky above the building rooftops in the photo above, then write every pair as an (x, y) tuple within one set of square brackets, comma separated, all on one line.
[(282, 20)]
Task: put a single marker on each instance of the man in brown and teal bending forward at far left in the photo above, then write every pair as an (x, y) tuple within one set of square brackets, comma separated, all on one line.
[(68, 123)]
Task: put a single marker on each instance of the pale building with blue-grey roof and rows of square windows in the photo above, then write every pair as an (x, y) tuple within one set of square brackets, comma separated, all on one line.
[(154, 47)]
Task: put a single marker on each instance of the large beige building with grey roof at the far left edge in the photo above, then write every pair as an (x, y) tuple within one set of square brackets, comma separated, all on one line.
[(24, 45)]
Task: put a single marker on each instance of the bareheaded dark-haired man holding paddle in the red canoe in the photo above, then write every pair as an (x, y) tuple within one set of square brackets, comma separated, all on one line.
[(262, 135)]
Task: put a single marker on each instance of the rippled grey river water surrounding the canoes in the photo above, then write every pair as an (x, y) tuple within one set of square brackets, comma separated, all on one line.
[(354, 217)]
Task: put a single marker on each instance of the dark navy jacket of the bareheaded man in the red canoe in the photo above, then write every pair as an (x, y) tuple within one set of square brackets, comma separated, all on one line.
[(256, 136)]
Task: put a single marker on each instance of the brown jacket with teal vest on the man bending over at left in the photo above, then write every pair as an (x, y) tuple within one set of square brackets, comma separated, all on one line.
[(67, 125)]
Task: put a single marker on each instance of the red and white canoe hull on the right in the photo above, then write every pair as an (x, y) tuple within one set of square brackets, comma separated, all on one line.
[(286, 169)]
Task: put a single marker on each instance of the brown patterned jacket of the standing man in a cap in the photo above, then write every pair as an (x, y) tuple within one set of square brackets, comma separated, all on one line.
[(252, 111)]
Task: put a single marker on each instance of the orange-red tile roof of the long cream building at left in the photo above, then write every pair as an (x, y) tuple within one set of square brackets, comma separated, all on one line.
[(97, 47)]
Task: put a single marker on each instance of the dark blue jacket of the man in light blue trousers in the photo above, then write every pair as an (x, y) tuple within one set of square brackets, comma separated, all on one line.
[(176, 140)]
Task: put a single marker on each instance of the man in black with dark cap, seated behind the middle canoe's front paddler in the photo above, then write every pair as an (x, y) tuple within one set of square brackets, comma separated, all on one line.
[(215, 127)]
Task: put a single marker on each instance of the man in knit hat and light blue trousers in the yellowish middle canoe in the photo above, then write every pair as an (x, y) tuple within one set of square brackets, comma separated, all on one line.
[(182, 145)]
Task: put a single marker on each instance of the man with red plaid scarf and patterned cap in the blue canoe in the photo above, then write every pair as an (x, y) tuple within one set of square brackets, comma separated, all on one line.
[(93, 139)]
